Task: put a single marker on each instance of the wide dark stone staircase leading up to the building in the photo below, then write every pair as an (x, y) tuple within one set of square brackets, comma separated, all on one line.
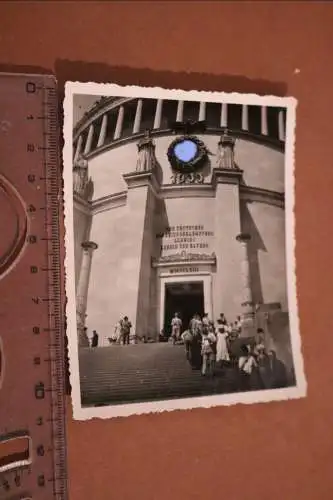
[(145, 372)]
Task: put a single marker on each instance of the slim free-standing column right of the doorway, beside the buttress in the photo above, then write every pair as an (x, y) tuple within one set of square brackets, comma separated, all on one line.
[(248, 316)]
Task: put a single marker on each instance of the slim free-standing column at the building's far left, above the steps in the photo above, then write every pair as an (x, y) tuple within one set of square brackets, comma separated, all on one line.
[(82, 291)]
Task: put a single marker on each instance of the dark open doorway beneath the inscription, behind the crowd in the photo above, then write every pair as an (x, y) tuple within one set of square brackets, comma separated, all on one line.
[(186, 298)]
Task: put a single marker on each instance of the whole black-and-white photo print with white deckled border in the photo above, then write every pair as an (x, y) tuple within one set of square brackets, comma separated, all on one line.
[(180, 264)]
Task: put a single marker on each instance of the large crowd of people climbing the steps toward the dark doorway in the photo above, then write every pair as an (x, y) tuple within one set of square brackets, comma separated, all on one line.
[(209, 345)]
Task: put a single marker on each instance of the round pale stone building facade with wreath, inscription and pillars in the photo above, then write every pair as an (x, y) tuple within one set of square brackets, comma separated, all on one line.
[(179, 206)]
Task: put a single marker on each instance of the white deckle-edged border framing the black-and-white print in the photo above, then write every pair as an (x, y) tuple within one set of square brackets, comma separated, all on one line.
[(123, 410)]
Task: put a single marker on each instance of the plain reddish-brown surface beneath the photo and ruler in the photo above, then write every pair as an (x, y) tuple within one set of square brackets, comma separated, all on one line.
[(267, 451)]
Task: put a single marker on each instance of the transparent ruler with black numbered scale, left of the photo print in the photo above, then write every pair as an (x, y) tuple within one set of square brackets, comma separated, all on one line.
[(32, 375)]
